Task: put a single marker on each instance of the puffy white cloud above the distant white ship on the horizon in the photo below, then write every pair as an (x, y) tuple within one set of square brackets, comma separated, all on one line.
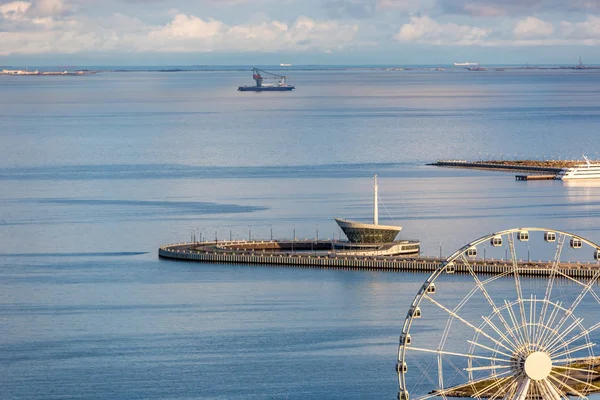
[(425, 30)]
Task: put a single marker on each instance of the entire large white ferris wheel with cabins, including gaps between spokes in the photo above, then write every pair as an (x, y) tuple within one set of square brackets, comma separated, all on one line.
[(504, 333)]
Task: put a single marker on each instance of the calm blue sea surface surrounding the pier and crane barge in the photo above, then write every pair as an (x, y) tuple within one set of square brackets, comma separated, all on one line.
[(97, 172)]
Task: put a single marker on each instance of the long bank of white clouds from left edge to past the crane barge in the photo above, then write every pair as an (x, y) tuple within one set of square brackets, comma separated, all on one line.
[(183, 33)]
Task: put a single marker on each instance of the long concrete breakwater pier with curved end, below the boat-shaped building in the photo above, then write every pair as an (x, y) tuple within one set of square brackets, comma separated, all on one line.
[(268, 253)]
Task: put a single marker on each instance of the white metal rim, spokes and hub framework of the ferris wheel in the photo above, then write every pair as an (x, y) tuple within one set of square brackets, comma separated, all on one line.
[(540, 339)]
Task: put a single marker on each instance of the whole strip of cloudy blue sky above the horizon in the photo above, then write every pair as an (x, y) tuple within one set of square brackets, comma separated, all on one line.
[(175, 32)]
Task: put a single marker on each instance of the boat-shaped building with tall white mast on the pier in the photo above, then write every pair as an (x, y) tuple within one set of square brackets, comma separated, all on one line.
[(364, 233)]
